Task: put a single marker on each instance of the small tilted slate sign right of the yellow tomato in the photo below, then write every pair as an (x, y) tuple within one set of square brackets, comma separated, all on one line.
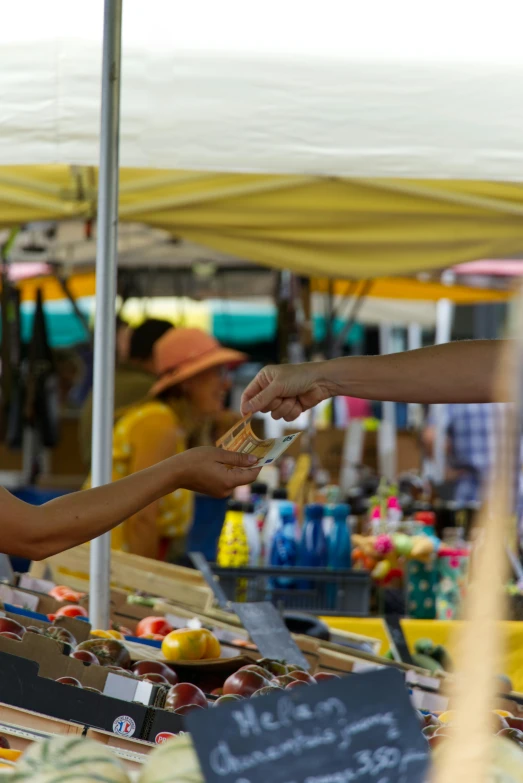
[(269, 633)]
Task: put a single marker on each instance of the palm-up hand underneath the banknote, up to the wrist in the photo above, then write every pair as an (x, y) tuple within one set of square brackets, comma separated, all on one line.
[(216, 472)]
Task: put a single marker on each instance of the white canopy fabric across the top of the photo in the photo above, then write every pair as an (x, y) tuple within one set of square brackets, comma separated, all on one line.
[(373, 89)]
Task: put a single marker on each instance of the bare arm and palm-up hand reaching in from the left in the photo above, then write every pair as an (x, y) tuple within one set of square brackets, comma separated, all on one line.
[(37, 532)]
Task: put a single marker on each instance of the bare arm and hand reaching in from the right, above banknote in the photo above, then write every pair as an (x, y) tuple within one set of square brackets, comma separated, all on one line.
[(454, 372)]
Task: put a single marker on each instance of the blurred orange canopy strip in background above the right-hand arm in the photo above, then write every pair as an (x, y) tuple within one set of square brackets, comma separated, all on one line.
[(413, 290)]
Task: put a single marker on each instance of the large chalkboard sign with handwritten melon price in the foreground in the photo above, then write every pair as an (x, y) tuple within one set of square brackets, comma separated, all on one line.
[(360, 728)]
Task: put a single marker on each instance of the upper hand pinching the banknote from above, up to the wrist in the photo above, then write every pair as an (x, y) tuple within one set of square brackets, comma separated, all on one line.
[(286, 391)]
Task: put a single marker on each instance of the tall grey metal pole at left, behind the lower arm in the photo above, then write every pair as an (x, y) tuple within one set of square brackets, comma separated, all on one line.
[(104, 333)]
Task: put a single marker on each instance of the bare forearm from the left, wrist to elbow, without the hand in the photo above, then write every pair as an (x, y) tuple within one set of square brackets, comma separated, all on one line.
[(74, 519)]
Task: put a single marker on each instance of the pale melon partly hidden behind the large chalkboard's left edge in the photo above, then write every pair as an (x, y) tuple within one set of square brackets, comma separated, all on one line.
[(175, 761)]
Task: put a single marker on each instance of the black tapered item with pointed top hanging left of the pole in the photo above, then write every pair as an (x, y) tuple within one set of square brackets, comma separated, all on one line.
[(42, 400)]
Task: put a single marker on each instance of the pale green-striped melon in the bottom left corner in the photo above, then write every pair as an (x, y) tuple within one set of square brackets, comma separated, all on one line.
[(69, 760)]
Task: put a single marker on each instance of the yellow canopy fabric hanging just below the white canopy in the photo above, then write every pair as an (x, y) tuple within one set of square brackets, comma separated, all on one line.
[(339, 227)]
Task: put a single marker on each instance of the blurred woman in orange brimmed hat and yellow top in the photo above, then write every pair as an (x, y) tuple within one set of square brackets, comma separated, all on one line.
[(192, 371)]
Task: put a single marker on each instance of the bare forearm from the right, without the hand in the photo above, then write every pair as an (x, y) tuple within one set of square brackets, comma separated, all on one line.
[(454, 372)]
